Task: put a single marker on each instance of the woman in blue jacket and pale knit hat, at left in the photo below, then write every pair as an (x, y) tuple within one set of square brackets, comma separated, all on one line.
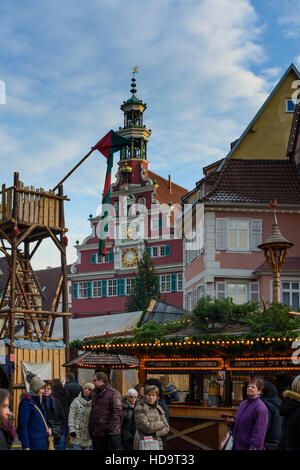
[(31, 429)]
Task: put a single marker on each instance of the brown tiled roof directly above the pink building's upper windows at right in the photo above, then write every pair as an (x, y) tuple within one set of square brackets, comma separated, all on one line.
[(257, 182)]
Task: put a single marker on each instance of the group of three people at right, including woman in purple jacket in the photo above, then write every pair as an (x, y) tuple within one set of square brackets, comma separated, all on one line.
[(264, 421)]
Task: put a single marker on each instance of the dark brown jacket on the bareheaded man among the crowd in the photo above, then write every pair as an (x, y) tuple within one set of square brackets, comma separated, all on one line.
[(105, 418)]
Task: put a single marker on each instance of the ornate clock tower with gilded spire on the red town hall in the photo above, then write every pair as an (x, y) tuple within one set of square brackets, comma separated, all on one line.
[(132, 181)]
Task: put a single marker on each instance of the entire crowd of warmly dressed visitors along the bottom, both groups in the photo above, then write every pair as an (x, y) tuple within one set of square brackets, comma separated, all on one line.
[(97, 417)]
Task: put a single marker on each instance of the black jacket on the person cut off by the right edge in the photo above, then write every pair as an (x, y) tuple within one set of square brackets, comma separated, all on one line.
[(290, 431)]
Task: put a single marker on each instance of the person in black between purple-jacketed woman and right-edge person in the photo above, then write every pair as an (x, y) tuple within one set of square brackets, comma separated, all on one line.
[(273, 402)]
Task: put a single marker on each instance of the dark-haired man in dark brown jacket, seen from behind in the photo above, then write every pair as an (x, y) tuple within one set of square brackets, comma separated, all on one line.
[(105, 418)]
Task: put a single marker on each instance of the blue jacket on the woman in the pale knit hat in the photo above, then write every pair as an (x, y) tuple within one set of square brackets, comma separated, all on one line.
[(31, 427)]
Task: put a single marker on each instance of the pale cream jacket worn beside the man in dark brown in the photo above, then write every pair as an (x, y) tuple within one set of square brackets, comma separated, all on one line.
[(79, 415)]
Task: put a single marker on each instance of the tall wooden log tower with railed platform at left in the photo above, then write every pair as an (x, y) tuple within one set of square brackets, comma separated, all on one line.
[(27, 217)]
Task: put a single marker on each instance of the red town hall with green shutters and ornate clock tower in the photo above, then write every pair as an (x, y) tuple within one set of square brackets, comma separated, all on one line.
[(141, 217)]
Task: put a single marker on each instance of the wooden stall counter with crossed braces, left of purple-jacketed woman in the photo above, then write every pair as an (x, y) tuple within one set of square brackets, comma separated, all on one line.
[(195, 427)]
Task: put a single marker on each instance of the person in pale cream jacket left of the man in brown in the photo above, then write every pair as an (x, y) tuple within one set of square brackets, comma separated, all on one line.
[(79, 415)]
